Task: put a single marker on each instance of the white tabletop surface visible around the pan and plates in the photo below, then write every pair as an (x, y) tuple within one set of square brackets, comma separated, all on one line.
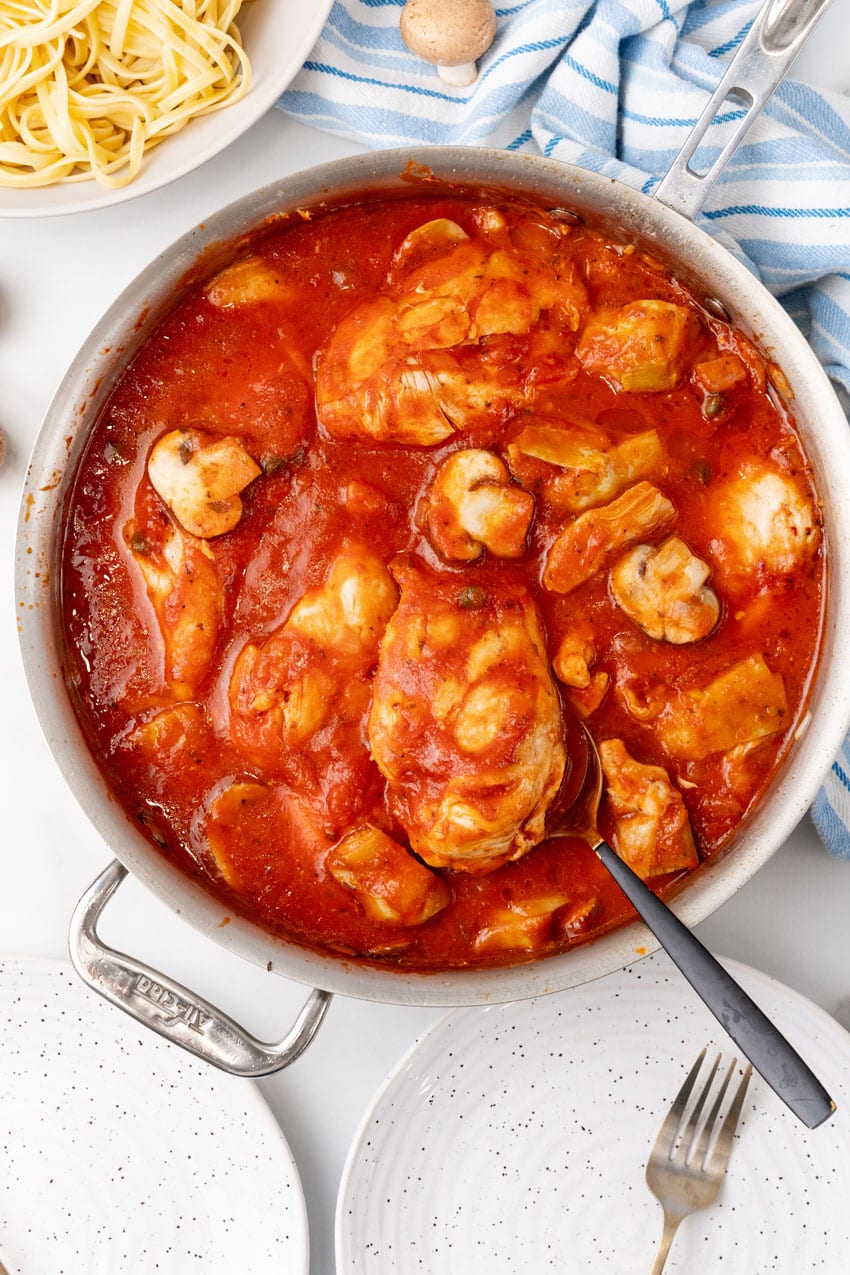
[(57, 277)]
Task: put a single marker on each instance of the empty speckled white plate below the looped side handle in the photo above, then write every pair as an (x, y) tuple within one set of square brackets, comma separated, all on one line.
[(122, 1156)]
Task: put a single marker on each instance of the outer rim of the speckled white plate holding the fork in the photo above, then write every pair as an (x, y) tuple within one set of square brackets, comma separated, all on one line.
[(346, 1260)]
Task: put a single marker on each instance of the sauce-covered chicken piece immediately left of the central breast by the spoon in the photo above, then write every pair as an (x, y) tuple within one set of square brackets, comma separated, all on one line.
[(300, 697)]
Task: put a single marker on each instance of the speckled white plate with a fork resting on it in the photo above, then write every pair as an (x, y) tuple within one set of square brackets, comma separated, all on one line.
[(514, 1140)]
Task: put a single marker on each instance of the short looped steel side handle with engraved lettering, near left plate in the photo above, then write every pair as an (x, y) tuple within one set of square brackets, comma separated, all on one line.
[(170, 1009)]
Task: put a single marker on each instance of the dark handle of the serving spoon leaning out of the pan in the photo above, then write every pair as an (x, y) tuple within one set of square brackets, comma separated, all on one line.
[(774, 1059)]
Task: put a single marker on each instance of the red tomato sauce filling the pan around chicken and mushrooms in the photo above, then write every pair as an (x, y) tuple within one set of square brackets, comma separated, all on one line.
[(248, 372)]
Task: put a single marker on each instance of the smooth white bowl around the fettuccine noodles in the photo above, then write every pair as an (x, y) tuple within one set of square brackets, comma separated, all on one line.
[(278, 36)]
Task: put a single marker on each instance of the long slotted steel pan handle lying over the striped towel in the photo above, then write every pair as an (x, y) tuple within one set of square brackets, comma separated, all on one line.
[(764, 57)]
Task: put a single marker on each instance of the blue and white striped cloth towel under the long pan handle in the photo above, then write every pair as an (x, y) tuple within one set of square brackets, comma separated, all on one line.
[(616, 86)]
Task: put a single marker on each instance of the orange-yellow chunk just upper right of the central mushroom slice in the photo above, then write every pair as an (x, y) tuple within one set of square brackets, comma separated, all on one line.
[(594, 471)]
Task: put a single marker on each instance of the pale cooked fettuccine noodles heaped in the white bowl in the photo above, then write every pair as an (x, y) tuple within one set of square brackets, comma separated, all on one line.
[(87, 87)]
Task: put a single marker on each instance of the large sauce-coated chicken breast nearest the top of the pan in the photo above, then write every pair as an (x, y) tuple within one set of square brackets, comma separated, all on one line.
[(424, 360)]
